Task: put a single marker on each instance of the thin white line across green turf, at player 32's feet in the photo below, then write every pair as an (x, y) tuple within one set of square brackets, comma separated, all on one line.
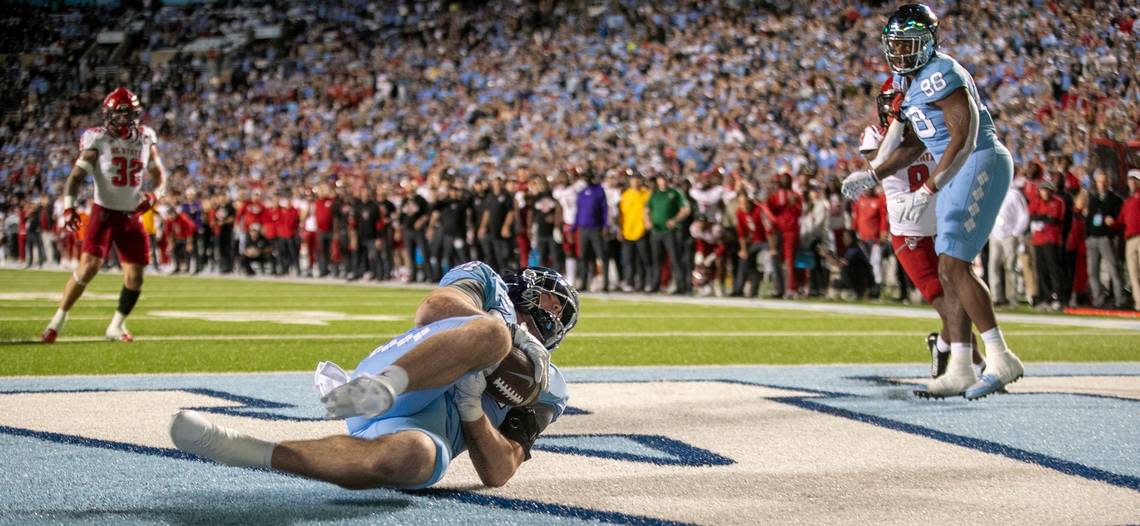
[(585, 335)]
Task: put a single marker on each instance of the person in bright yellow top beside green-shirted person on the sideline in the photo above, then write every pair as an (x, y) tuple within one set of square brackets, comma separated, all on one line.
[(636, 250)]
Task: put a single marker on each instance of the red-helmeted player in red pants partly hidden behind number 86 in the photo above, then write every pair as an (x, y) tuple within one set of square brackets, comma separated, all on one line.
[(913, 242)]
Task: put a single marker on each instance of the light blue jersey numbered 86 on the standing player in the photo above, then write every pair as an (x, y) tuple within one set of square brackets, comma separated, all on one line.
[(940, 78)]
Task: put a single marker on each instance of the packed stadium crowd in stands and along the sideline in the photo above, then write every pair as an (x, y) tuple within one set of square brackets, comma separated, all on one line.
[(678, 147)]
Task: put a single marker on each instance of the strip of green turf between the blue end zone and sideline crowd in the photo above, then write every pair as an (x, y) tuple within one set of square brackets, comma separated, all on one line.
[(209, 325)]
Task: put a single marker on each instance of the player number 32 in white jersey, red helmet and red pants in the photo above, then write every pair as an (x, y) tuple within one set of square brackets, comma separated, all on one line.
[(116, 156)]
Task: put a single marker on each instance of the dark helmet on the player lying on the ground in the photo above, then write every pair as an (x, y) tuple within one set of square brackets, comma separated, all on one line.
[(526, 290)]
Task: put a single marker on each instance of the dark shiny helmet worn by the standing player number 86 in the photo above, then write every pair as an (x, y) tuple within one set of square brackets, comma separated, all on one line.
[(910, 38)]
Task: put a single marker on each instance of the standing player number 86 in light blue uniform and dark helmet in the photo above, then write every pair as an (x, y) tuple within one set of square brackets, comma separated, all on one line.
[(944, 115)]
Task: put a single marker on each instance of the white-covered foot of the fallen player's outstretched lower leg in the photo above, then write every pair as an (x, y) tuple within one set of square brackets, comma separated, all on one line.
[(193, 434)]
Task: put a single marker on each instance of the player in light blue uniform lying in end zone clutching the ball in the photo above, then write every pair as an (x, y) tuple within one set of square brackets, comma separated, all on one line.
[(420, 401)]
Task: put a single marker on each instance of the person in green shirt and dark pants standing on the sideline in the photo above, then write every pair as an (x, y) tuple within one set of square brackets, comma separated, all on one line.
[(667, 208)]
